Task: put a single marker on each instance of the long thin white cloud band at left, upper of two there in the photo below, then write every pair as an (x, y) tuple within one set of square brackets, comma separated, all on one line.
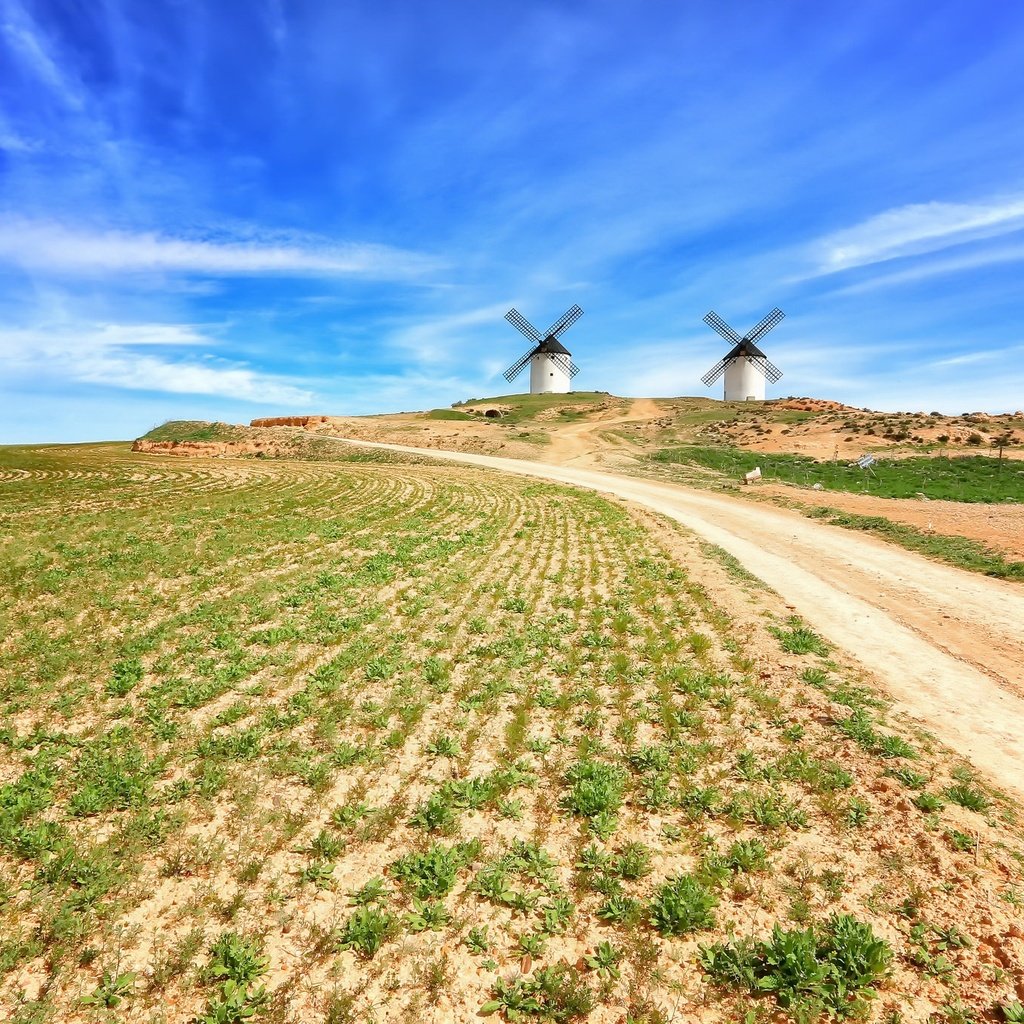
[(55, 248)]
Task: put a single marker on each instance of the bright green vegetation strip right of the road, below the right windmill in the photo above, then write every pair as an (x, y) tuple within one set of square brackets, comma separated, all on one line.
[(967, 479)]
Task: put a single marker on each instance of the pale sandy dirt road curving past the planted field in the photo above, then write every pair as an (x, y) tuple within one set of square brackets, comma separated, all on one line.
[(948, 645)]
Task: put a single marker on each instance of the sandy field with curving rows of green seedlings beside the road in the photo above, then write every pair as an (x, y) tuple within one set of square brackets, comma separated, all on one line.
[(297, 742)]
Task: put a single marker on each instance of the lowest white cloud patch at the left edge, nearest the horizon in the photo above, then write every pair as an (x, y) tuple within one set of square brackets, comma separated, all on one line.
[(121, 356)]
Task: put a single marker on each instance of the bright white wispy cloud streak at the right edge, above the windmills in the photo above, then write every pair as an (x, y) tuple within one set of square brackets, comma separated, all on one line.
[(913, 231)]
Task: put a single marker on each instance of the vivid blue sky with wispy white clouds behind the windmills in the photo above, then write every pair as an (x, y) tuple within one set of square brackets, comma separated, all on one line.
[(230, 209)]
